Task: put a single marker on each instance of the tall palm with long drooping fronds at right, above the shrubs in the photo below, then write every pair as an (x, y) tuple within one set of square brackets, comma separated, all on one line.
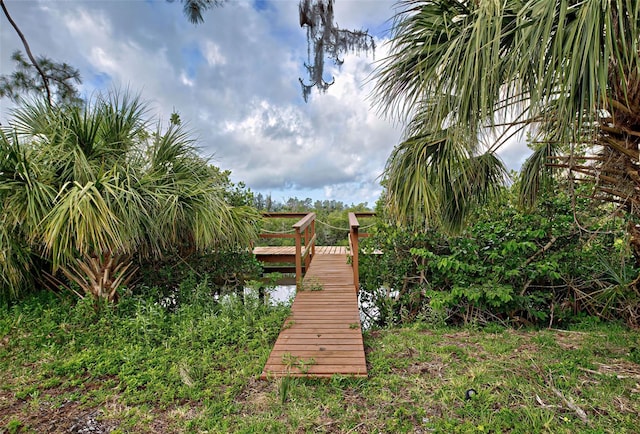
[(568, 70)]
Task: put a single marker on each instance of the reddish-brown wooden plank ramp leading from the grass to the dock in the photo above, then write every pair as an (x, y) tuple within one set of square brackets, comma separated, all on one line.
[(322, 337)]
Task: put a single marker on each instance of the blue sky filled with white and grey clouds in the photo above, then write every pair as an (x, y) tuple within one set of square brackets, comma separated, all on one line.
[(234, 82)]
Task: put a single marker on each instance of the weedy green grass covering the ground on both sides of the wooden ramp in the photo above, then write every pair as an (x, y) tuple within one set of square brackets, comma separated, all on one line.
[(141, 368)]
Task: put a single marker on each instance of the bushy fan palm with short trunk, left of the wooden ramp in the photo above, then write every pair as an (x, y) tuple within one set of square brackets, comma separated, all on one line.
[(88, 188)]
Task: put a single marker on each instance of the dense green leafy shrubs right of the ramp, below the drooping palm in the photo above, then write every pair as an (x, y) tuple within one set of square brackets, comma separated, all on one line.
[(539, 267)]
